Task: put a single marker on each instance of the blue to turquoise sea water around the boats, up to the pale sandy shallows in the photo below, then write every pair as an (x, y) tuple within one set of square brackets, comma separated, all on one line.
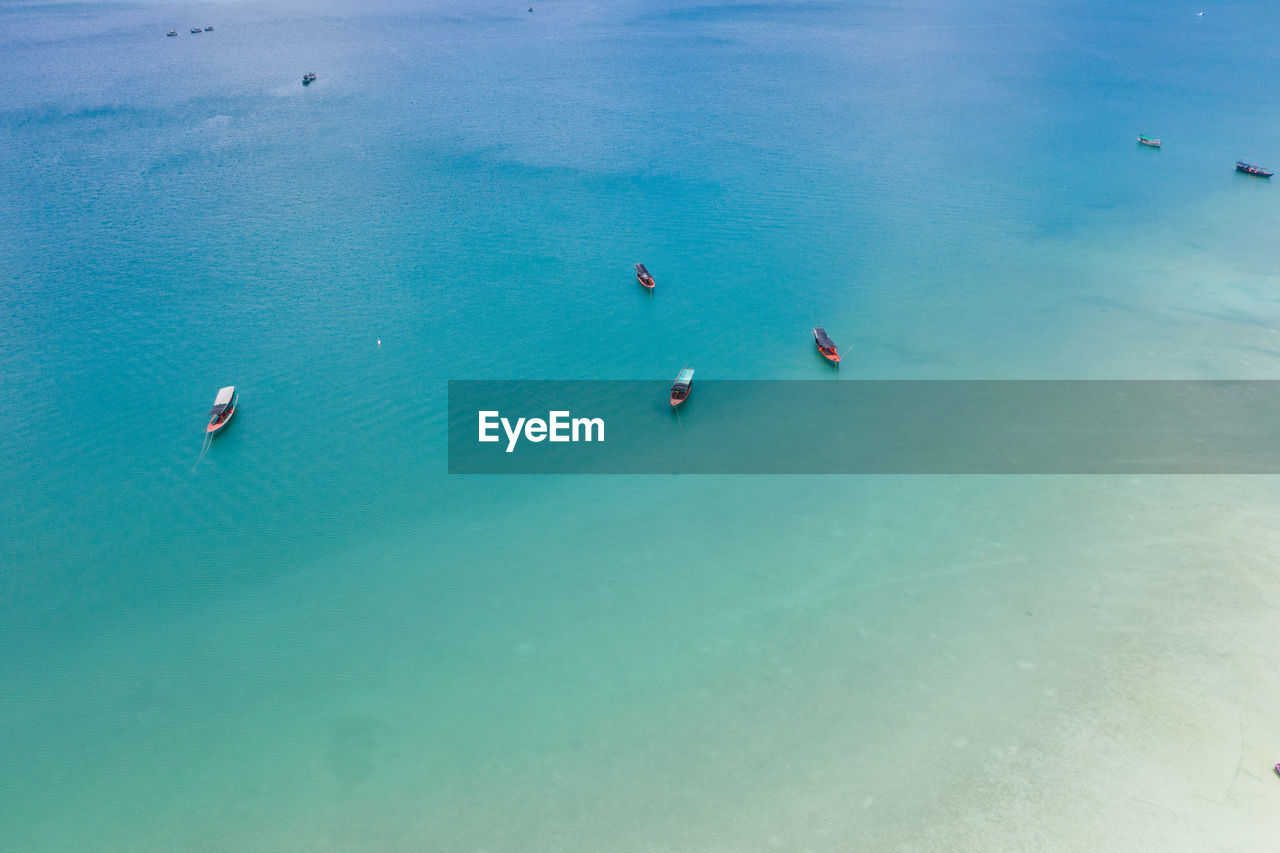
[(314, 638)]
